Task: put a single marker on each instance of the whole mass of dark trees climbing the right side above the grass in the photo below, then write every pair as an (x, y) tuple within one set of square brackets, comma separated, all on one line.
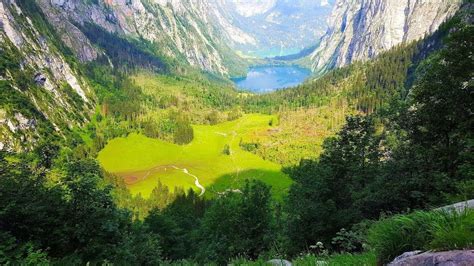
[(422, 157)]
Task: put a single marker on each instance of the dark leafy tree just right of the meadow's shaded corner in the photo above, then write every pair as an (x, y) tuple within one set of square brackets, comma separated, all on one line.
[(328, 195)]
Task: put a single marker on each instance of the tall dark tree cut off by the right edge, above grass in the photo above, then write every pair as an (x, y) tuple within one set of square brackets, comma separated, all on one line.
[(445, 89)]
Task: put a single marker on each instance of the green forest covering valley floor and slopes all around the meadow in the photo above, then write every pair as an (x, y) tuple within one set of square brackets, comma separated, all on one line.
[(396, 142)]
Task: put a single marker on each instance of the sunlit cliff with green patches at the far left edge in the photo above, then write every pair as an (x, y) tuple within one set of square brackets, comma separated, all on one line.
[(39, 90)]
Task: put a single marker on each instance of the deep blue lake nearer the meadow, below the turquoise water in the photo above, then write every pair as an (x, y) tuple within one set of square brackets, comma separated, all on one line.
[(263, 79)]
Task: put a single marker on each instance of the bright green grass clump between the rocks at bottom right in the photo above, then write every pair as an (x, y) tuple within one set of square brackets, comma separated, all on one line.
[(421, 231)]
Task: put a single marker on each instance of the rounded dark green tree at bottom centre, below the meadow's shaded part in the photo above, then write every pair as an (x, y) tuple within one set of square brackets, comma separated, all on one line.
[(237, 224)]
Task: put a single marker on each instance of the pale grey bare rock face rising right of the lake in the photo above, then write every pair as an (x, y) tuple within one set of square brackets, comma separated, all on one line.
[(360, 30)]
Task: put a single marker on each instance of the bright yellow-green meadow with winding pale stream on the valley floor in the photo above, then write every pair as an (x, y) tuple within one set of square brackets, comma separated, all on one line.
[(142, 161)]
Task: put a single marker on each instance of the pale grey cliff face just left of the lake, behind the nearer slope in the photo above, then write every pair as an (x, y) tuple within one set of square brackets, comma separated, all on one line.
[(182, 29)]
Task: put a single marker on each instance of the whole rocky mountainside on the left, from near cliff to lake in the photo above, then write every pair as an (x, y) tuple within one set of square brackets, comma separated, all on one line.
[(50, 49)]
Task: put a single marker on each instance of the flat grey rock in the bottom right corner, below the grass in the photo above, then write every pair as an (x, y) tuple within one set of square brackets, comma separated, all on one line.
[(446, 258)]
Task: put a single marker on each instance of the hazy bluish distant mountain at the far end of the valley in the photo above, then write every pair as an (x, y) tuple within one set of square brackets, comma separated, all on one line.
[(272, 27)]
